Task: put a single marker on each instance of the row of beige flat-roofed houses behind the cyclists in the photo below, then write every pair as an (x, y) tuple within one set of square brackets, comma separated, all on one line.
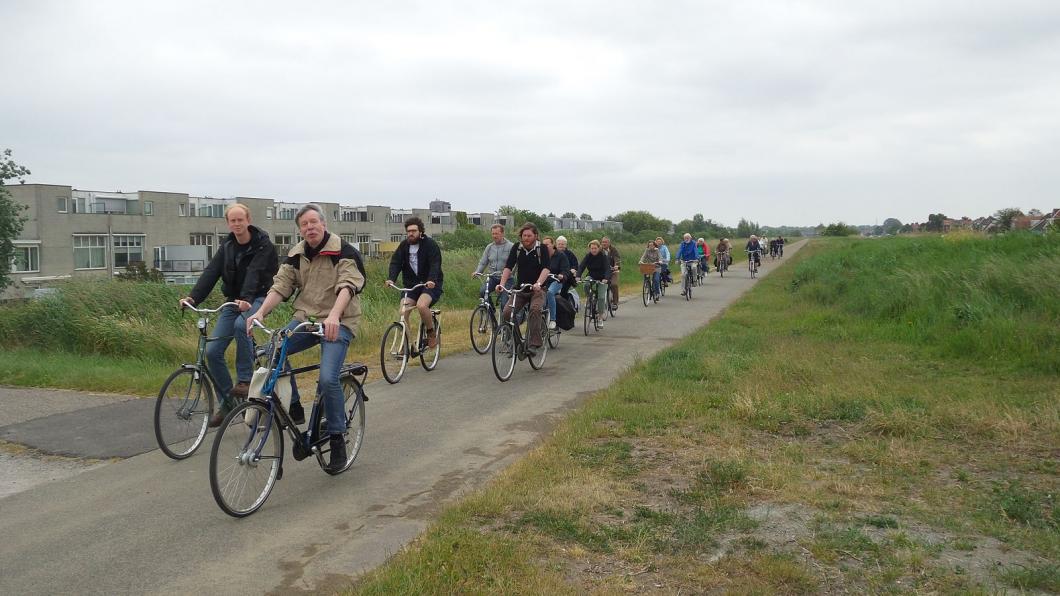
[(75, 234)]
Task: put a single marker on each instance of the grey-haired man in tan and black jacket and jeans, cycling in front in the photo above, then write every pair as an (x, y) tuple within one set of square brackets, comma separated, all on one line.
[(329, 275)]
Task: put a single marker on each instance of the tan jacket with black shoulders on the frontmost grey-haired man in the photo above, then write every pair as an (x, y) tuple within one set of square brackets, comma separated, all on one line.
[(338, 267)]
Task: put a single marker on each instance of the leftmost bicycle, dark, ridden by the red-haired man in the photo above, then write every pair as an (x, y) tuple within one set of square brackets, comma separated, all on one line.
[(186, 402)]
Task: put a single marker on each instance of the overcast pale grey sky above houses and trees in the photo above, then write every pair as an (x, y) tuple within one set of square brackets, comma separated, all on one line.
[(783, 113)]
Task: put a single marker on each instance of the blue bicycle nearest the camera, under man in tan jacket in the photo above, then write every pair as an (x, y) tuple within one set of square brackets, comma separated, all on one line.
[(248, 455)]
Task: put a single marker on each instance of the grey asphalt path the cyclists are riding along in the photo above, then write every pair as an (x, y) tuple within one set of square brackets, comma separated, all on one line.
[(149, 525)]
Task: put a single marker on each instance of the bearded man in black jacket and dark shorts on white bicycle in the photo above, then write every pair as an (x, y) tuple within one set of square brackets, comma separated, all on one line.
[(419, 260)]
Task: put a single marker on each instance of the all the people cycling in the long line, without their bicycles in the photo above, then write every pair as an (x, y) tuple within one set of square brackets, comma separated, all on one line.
[(326, 275)]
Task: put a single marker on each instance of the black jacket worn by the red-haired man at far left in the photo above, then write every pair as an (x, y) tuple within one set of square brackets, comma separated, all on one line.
[(249, 279)]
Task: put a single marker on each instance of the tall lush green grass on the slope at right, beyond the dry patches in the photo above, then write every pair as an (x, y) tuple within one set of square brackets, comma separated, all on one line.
[(986, 299)]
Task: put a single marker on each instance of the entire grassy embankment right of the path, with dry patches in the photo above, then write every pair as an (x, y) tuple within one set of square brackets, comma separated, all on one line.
[(878, 416)]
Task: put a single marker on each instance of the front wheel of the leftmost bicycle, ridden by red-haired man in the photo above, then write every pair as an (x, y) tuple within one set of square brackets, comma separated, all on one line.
[(182, 413)]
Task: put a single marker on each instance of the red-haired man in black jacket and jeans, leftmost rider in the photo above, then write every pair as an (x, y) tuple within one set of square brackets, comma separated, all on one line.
[(245, 264)]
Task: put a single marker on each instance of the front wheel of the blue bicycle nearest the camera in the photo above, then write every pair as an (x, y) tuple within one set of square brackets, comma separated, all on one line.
[(246, 459)]
